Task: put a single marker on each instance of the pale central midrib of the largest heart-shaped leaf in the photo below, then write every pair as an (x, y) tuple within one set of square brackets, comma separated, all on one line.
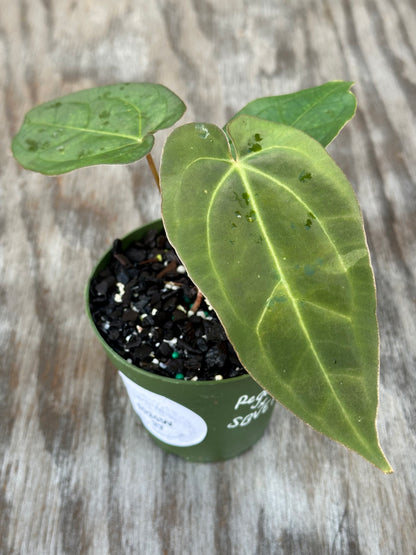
[(241, 169)]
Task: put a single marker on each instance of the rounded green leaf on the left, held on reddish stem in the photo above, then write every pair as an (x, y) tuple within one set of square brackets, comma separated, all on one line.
[(103, 125)]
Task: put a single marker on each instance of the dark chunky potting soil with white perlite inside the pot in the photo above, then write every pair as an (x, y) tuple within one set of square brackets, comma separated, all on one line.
[(141, 304)]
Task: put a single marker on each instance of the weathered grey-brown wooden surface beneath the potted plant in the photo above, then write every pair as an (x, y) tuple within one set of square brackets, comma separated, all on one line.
[(78, 473)]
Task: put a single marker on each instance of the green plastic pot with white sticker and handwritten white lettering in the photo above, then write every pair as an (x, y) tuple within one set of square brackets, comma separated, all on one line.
[(201, 421)]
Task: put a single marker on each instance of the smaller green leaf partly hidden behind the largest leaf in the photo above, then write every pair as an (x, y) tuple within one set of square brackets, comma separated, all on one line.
[(321, 112)]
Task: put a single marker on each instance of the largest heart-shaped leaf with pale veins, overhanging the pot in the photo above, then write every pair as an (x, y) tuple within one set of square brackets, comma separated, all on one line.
[(275, 241)]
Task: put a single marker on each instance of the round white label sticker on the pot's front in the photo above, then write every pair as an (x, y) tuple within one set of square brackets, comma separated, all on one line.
[(167, 420)]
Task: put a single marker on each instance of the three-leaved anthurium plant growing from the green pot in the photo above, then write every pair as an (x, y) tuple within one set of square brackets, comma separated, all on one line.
[(267, 226)]
